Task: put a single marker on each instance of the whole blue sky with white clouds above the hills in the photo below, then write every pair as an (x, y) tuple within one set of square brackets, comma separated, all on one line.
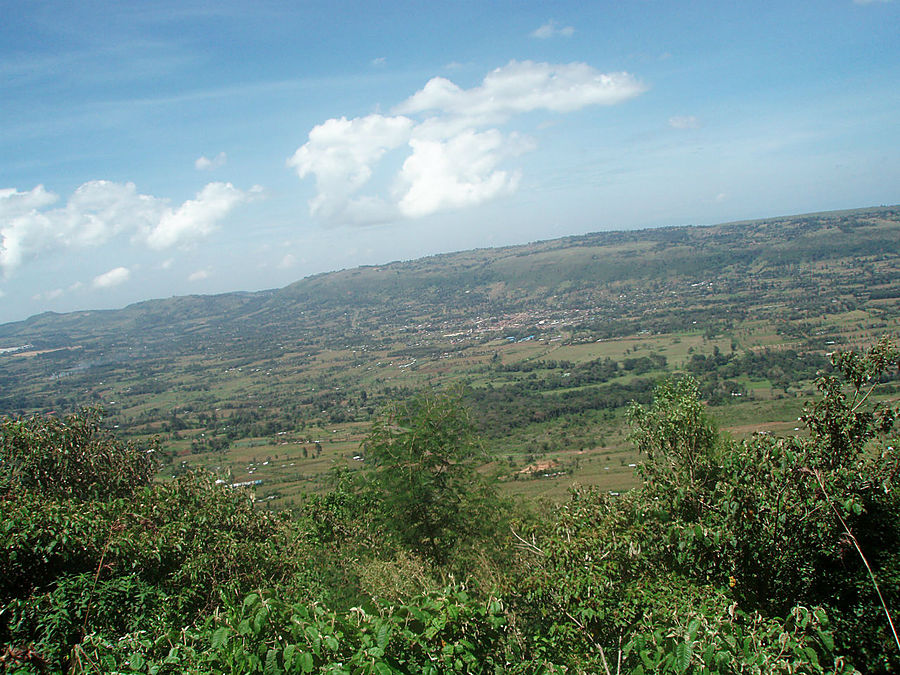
[(151, 149)]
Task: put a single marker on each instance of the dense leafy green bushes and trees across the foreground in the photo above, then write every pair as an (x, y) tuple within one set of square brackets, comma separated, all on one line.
[(765, 555)]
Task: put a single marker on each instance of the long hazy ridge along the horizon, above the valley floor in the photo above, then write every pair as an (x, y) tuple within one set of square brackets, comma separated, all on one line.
[(578, 271)]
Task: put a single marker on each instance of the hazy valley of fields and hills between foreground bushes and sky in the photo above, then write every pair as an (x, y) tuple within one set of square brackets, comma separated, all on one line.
[(548, 343)]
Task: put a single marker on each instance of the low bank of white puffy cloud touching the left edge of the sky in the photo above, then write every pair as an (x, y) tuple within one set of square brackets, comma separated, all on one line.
[(98, 211)]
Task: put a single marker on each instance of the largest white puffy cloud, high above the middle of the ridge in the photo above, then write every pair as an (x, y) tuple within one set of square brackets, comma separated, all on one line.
[(451, 140)]
